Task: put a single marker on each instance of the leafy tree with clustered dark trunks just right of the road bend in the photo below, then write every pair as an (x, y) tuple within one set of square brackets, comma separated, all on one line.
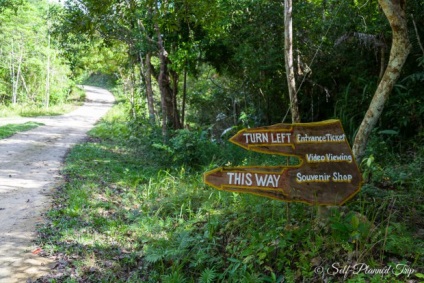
[(150, 29)]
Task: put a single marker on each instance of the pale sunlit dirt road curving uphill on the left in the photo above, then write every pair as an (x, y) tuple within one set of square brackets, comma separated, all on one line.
[(29, 171)]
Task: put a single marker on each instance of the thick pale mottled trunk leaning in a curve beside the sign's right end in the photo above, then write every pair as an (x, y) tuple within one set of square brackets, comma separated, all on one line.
[(400, 49)]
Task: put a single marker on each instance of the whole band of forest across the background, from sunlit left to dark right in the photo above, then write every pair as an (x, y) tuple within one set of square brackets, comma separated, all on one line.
[(183, 56)]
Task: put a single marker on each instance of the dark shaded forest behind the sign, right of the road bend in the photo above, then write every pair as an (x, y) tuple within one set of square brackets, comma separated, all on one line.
[(233, 52)]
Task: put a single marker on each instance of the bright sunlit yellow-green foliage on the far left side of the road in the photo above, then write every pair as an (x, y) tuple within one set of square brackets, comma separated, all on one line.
[(32, 70)]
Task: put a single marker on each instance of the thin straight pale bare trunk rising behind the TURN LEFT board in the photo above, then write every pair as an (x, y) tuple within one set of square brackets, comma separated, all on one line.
[(288, 50)]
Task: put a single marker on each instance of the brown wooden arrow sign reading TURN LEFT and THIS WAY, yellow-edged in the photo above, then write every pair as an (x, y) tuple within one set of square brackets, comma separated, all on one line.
[(327, 173)]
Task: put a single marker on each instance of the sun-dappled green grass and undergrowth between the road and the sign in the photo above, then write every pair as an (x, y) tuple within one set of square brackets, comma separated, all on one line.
[(133, 212)]
